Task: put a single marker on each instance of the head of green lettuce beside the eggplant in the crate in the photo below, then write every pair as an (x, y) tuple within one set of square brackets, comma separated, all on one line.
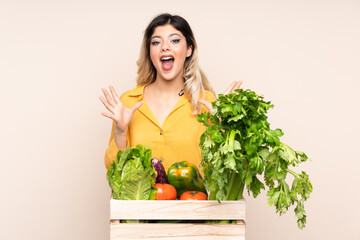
[(132, 176)]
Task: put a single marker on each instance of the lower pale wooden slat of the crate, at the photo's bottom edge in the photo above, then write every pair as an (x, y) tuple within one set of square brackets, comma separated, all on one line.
[(165, 231)]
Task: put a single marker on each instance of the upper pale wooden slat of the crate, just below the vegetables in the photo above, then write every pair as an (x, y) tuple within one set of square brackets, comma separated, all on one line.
[(182, 210)]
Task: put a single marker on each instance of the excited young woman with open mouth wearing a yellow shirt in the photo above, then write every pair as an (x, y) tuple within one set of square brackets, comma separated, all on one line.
[(171, 90)]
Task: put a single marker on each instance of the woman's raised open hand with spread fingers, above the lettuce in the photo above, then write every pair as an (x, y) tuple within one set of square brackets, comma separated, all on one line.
[(117, 110)]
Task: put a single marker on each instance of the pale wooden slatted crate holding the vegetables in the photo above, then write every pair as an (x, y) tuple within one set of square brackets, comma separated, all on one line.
[(177, 210)]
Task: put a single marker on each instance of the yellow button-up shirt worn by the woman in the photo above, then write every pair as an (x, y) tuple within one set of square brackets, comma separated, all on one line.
[(177, 140)]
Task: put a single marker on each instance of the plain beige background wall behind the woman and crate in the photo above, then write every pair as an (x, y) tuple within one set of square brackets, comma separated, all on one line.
[(55, 56)]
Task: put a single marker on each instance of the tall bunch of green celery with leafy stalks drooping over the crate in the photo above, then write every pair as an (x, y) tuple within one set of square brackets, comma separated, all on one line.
[(239, 145)]
